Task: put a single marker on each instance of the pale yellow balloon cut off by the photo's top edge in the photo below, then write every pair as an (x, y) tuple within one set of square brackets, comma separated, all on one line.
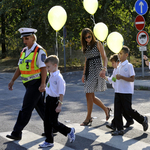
[(90, 6)]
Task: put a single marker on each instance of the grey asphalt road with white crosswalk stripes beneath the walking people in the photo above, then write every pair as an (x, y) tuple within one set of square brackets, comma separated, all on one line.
[(96, 137)]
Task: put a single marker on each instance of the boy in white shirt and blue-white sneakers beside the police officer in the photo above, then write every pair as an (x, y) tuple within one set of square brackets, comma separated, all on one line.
[(55, 89)]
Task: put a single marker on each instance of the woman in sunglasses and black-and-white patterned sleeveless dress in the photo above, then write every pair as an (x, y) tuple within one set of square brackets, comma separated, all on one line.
[(93, 73)]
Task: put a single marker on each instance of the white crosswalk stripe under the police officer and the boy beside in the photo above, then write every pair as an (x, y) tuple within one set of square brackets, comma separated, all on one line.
[(31, 141)]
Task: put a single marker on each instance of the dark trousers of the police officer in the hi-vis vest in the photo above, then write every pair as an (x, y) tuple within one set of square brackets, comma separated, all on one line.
[(32, 99)]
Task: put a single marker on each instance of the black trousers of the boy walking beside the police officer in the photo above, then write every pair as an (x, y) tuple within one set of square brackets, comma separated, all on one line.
[(51, 120)]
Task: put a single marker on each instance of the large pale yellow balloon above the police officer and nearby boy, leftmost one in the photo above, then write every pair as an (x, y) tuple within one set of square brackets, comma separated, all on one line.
[(57, 17)]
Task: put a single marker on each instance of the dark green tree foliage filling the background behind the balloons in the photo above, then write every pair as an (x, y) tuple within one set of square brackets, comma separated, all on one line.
[(118, 15)]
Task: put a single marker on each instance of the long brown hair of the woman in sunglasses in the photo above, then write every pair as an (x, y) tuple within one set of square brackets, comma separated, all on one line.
[(83, 41)]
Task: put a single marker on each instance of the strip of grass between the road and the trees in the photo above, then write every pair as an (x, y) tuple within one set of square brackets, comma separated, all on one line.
[(75, 63)]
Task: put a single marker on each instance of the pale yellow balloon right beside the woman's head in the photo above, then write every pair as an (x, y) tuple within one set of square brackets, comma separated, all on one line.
[(100, 31)]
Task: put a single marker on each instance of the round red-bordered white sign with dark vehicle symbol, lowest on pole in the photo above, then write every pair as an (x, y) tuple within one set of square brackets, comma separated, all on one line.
[(142, 38)]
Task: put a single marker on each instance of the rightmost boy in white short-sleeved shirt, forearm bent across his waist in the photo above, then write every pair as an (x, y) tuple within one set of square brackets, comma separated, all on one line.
[(123, 94)]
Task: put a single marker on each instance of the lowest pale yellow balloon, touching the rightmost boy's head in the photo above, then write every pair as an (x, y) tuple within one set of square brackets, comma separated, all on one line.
[(115, 42)]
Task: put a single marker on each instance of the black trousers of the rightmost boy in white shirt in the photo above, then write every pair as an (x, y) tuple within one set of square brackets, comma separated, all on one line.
[(123, 102)]
